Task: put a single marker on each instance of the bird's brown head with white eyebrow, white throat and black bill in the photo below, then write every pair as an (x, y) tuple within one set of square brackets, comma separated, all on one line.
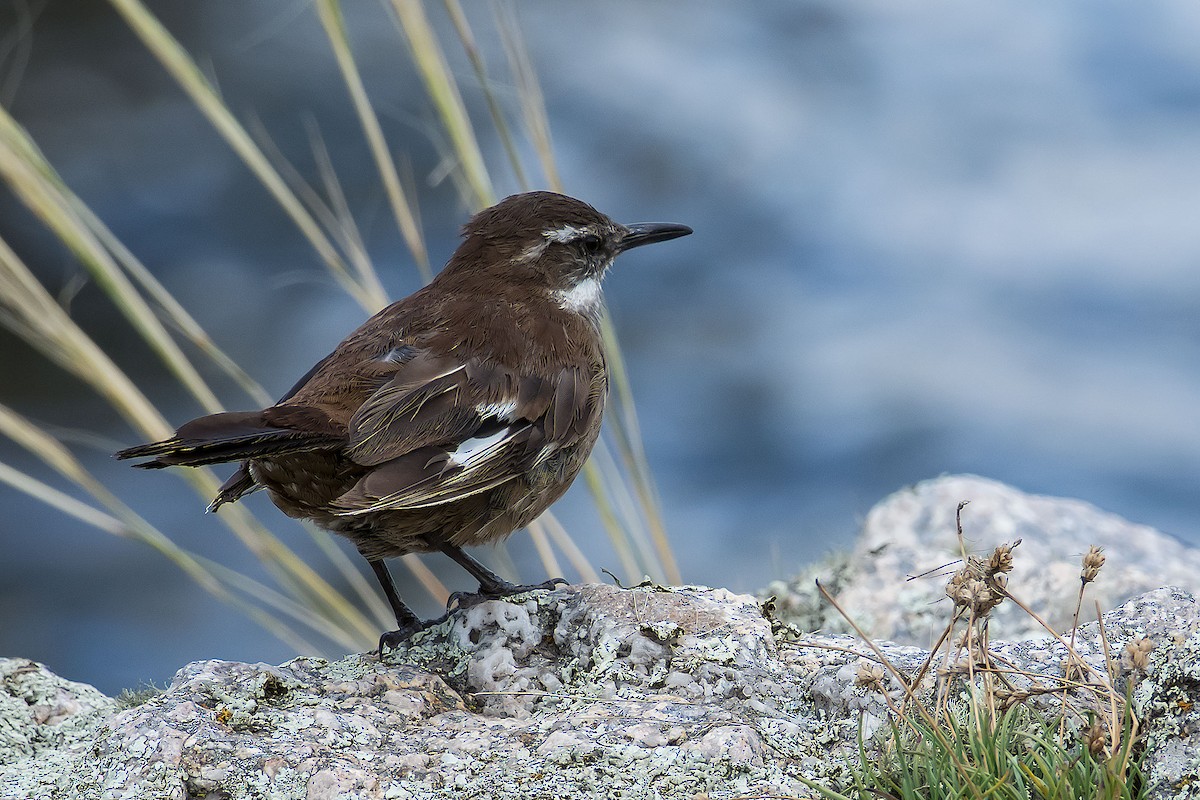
[(551, 243)]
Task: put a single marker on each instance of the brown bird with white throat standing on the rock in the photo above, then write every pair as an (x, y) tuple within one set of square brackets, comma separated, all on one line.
[(453, 417)]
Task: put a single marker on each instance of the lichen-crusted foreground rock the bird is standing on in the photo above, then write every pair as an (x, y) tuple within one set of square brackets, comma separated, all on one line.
[(584, 691)]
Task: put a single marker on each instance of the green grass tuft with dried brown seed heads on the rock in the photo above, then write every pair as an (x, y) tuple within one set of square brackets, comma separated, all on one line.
[(981, 737)]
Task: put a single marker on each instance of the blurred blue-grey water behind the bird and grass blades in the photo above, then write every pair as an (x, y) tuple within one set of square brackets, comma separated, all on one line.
[(931, 238)]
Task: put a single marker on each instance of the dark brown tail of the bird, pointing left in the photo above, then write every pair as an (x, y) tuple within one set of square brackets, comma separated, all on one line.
[(232, 436)]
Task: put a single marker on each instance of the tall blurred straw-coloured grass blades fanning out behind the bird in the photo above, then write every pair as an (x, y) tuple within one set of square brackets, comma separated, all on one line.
[(326, 220)]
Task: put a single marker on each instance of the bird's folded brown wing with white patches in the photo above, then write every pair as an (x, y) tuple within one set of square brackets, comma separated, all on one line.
[(441, 431)]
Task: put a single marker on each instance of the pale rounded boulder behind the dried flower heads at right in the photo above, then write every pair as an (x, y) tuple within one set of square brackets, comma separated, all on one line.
[(893, 584)]
